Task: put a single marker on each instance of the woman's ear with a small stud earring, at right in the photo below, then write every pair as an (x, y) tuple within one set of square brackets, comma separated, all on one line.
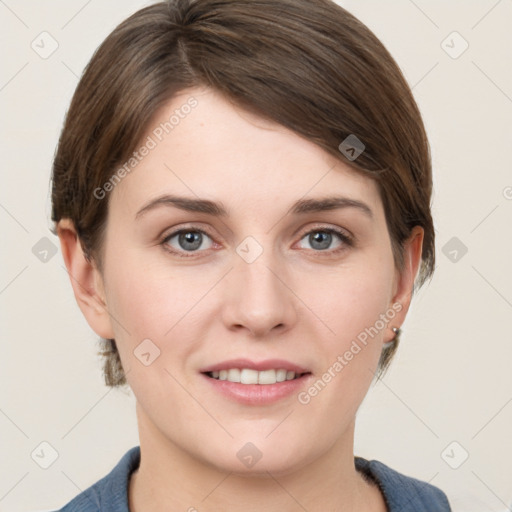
[(404, 279)]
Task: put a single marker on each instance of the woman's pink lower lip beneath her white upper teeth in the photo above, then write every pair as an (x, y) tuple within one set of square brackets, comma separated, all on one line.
[(257, 394)]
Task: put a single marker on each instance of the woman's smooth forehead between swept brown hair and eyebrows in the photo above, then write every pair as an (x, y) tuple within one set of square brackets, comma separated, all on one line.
[(201, 144)]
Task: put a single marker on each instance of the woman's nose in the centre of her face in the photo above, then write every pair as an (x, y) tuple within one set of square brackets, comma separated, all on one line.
[(257, 298)]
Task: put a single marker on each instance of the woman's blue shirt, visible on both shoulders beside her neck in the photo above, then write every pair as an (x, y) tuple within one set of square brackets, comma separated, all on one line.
[(401, 493)]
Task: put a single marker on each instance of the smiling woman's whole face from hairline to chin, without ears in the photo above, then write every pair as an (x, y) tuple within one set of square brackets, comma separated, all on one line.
[(271, 284)]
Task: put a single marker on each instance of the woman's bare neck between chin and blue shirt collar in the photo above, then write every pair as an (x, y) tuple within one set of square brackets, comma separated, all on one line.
[(169, 478)]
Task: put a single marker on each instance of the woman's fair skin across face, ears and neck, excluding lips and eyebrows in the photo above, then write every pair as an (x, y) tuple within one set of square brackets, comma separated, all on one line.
[(295, 302)]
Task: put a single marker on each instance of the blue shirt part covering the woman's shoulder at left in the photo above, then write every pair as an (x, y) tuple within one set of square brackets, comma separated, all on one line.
[(110, 494)]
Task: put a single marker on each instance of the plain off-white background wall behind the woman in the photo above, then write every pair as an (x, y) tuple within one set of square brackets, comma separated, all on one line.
[(451, 380)]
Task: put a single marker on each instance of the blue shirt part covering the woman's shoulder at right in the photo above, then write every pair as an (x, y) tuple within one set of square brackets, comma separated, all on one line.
[(403, 492)]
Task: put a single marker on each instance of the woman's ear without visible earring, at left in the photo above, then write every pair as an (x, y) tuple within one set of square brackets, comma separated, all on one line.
[(86, 280)]
